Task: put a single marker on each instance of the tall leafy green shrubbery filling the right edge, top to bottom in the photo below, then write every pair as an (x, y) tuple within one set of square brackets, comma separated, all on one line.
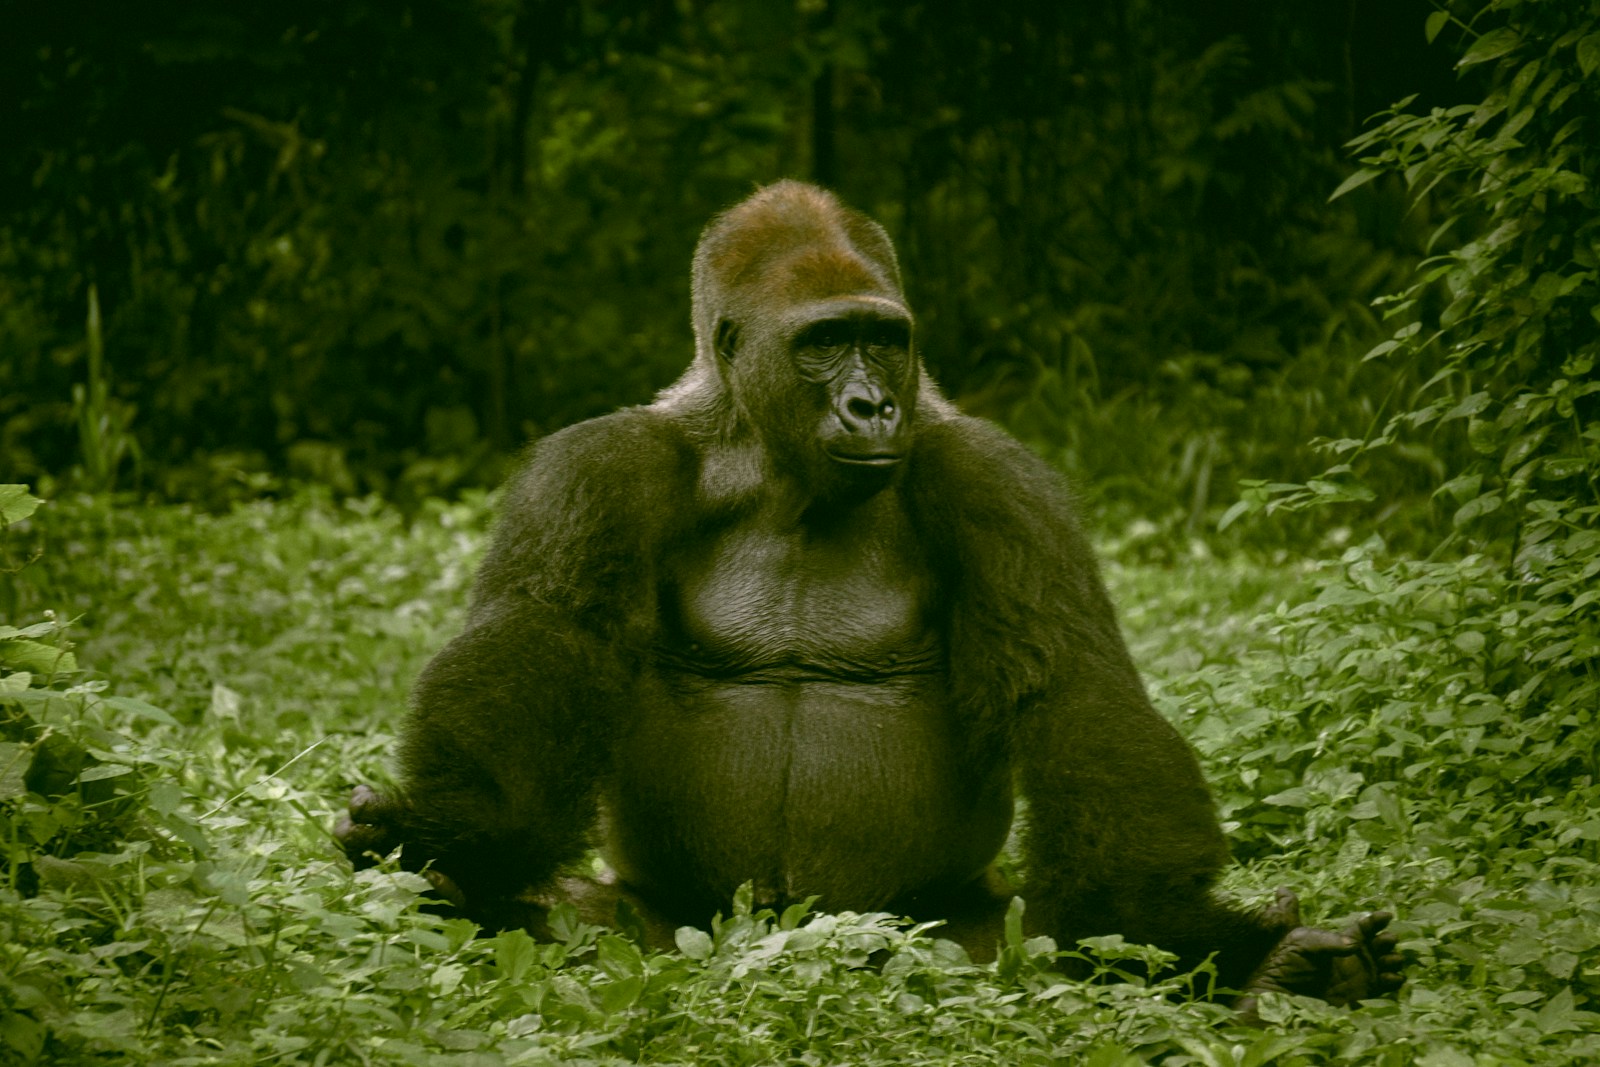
[(1438, 721)]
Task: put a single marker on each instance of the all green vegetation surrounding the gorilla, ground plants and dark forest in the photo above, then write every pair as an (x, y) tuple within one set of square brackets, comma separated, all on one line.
[(1305, 298)]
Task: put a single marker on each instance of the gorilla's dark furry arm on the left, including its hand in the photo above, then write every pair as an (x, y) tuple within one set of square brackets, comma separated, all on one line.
[(511, 724)]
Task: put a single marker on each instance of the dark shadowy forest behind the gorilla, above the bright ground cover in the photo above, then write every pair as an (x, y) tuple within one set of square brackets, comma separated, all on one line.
[(382, 244)]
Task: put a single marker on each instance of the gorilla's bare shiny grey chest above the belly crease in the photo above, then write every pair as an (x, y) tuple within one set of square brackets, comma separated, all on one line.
[(759, 602)]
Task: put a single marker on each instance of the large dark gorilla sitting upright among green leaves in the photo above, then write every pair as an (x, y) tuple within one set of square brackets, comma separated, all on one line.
[(802, 625)]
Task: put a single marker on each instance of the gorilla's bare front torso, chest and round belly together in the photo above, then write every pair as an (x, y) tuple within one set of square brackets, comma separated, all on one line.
[(796, 732)]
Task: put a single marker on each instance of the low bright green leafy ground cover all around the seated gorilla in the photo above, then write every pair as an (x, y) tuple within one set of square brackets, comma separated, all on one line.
[(186, 700)]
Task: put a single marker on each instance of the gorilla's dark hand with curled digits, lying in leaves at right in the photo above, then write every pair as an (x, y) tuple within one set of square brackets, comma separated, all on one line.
[(1342, 969)]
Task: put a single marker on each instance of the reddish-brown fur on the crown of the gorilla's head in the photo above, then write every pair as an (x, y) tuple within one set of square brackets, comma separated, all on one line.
[(791, 244)]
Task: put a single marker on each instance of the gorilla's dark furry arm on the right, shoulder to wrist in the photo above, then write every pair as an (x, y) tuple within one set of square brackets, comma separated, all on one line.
[(1122, 836)]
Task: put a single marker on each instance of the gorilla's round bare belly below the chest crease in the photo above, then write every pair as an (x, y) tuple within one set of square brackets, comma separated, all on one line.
[(854, 793)]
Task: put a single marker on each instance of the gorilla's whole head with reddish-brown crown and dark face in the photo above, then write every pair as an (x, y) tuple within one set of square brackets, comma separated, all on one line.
[(801, 322)]
